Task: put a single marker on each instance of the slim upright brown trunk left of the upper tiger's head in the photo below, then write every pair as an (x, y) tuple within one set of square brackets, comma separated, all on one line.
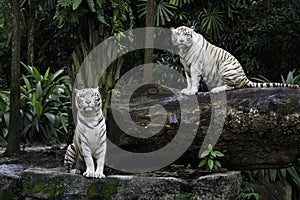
[(149, 39)]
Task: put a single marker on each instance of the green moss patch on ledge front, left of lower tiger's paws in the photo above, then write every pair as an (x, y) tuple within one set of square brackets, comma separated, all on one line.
[(54, 189)]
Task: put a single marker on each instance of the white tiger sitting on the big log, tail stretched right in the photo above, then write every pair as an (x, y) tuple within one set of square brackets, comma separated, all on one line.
[(218, 68)]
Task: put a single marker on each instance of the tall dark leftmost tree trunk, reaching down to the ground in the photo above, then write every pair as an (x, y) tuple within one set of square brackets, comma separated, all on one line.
[(14, 119)]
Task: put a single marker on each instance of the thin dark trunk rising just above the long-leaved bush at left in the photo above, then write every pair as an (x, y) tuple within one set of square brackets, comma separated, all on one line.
[(31, 25)]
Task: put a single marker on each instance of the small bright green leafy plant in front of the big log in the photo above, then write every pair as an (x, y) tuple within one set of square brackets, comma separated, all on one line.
[(209, 159)]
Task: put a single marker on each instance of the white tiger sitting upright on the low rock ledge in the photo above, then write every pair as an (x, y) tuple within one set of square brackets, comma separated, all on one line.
[(89, 142)]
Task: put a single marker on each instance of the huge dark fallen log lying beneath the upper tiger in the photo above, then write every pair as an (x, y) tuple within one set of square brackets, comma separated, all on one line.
[(259, 128)]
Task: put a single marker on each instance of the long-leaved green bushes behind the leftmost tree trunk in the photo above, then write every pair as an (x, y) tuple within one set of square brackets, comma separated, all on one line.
[(45, 99)]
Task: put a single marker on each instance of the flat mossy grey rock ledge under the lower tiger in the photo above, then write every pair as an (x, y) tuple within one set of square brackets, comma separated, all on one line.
[(40, 183)]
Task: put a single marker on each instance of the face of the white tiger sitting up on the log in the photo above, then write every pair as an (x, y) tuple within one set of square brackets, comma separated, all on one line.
[(182, 37)]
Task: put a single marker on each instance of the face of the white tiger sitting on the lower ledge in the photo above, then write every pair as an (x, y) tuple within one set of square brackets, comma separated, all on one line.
[(88, 99)]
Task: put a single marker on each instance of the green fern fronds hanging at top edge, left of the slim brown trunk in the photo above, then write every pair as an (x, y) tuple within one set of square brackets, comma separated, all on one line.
[(115, 14)]
